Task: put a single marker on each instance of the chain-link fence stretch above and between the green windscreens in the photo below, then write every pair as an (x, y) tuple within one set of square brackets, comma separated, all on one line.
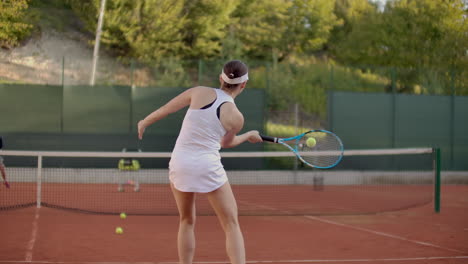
[(296, 94)]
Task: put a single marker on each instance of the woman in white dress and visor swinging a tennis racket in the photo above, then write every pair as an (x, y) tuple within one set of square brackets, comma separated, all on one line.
[(211, 122)]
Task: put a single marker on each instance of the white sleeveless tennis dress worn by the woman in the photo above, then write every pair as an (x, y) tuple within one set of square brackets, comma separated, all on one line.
[(195, 164)]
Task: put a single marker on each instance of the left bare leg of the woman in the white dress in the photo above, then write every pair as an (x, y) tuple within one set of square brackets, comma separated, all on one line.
[(186, 235)]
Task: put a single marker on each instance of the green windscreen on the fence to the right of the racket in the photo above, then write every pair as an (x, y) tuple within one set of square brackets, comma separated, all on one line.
[(376, 120)]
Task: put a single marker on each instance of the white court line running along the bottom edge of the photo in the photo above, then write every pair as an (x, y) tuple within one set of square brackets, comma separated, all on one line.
[(257, 261)]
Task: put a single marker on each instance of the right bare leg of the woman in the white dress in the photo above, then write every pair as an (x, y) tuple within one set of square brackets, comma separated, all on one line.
[(223, 202)]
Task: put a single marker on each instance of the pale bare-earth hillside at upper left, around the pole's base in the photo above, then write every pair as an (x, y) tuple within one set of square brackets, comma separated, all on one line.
[(57, 43)]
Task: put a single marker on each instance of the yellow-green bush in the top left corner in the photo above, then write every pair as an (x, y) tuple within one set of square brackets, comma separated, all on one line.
[(13, 25)]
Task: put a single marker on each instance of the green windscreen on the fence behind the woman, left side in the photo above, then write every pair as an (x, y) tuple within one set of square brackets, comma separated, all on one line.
[(99, 118)]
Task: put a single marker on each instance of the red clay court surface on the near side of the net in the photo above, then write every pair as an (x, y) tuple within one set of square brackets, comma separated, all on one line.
[(415, 235)]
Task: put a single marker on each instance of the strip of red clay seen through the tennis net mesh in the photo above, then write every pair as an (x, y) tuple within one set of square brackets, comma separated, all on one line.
[(156, 199)]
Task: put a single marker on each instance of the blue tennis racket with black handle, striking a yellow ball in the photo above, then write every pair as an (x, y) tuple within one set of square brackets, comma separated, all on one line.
[(320, 149)]
